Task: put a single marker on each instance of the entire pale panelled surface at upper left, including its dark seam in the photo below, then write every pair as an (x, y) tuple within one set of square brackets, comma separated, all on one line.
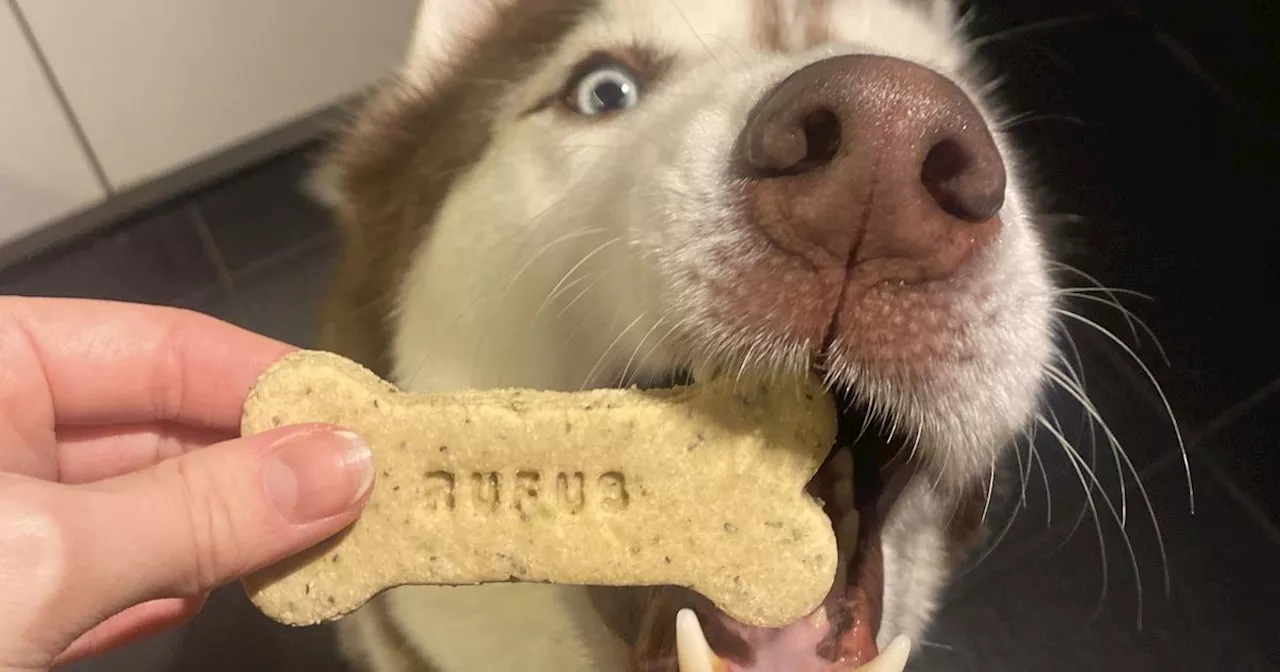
[(157, 86)]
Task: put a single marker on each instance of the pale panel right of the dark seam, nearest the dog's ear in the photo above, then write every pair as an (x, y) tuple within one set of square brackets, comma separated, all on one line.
[(161, 84)]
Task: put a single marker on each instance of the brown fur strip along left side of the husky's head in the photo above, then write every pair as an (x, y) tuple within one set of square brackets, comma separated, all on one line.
[(399, 162)]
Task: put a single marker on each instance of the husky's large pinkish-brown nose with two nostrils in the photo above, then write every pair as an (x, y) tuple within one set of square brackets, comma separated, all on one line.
[(867, 158)]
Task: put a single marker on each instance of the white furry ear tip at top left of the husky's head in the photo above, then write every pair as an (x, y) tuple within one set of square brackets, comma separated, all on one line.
[(446, 31)]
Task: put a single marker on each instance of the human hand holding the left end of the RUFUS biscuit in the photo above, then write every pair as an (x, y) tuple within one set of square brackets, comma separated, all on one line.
[(125, 492)]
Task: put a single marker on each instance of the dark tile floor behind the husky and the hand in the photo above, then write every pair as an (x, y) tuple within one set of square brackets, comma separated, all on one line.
[(1168, 189)]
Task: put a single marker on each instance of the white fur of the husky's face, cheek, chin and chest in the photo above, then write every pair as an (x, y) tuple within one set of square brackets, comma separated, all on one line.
[(552, 267)]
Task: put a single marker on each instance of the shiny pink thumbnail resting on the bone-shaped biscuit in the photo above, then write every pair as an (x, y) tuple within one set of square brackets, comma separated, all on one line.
[(318, 476)]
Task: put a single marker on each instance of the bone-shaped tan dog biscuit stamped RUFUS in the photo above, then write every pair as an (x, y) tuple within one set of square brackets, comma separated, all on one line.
[(698, 487)]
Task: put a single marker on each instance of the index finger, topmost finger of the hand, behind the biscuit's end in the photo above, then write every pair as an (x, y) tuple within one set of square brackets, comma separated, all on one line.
[(107, 363)]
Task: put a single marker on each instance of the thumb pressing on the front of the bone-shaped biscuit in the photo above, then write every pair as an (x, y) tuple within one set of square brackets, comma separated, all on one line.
[(208, 518)]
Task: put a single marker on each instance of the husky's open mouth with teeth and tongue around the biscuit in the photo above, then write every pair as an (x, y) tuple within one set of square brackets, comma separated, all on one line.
[(858, 484)]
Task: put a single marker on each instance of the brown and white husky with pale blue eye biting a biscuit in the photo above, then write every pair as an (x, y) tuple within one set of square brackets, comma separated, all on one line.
[(575, 194)]
